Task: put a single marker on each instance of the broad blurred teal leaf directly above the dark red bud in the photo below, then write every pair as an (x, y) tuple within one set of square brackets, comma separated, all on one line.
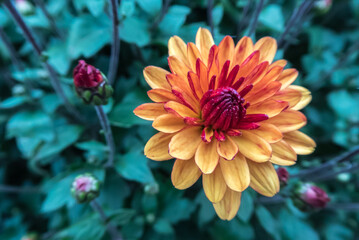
[(88, 35)]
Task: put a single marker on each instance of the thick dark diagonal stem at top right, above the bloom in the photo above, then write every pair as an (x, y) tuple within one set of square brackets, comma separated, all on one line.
[(296, 17)]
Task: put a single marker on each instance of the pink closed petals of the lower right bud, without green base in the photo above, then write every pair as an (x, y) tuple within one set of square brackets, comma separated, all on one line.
[(314, 196)]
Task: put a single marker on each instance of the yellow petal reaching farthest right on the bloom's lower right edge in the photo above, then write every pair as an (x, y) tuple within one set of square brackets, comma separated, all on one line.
[(300, 142)]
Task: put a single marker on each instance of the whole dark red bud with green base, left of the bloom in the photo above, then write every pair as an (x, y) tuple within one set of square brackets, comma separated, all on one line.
[(91, 84)]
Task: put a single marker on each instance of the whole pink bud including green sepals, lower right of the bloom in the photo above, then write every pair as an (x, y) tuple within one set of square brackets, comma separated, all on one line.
[(309, 196)]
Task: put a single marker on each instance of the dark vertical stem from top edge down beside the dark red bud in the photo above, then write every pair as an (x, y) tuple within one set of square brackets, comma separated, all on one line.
[(115, 48)]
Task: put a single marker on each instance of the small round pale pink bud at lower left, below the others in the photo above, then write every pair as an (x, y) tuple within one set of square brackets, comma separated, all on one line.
[(85, 188)]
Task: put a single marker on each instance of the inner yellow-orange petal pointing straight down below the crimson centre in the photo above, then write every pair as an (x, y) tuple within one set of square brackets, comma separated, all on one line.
[(207, 156)]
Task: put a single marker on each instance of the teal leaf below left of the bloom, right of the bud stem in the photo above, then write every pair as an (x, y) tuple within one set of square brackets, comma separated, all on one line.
[(133, 166)]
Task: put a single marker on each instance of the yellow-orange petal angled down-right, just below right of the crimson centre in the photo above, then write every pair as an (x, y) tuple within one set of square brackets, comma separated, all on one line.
[(253, 147)]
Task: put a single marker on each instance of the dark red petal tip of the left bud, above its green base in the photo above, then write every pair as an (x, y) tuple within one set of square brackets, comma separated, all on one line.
[(87, 76)]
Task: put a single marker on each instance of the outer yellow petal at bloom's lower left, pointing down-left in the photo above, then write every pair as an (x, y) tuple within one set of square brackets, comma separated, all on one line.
[(184, 173)]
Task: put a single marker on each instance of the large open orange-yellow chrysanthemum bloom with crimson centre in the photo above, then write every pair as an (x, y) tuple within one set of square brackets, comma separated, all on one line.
[(226, 113)]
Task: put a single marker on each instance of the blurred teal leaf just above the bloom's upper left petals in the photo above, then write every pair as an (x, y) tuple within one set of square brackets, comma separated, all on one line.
[(174, 19)]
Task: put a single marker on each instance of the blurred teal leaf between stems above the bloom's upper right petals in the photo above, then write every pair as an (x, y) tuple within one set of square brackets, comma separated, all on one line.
[(272, 17)]
